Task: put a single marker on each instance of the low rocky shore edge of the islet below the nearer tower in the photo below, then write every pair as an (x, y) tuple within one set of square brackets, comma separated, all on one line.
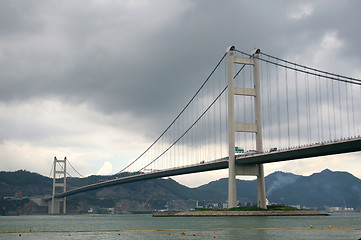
[(239, 213)]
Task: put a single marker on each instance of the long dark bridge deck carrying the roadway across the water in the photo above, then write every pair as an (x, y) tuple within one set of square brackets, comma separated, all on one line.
[(309, 151)]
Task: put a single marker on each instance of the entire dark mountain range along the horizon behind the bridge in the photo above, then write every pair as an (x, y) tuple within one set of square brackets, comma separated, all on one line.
[(327, 188)]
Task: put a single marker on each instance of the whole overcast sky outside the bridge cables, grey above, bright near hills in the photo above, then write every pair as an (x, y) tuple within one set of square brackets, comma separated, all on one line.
[(97, 81)]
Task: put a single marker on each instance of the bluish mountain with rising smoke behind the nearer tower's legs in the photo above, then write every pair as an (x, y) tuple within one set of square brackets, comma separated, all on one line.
[(326, 188)]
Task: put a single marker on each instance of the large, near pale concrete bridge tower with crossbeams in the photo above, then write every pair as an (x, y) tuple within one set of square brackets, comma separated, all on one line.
[(233, 127)]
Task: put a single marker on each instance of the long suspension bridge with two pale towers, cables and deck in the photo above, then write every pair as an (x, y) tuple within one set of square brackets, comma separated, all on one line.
[(252, 109)]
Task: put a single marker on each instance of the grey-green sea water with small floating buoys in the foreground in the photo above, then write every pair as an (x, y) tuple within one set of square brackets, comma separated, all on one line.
[(335, 226)]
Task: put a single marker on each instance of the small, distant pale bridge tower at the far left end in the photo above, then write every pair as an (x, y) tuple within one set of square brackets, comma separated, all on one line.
[(59, 181)]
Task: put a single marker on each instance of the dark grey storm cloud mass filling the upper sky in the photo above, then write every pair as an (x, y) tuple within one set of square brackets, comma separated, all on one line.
[(148, 60)]
